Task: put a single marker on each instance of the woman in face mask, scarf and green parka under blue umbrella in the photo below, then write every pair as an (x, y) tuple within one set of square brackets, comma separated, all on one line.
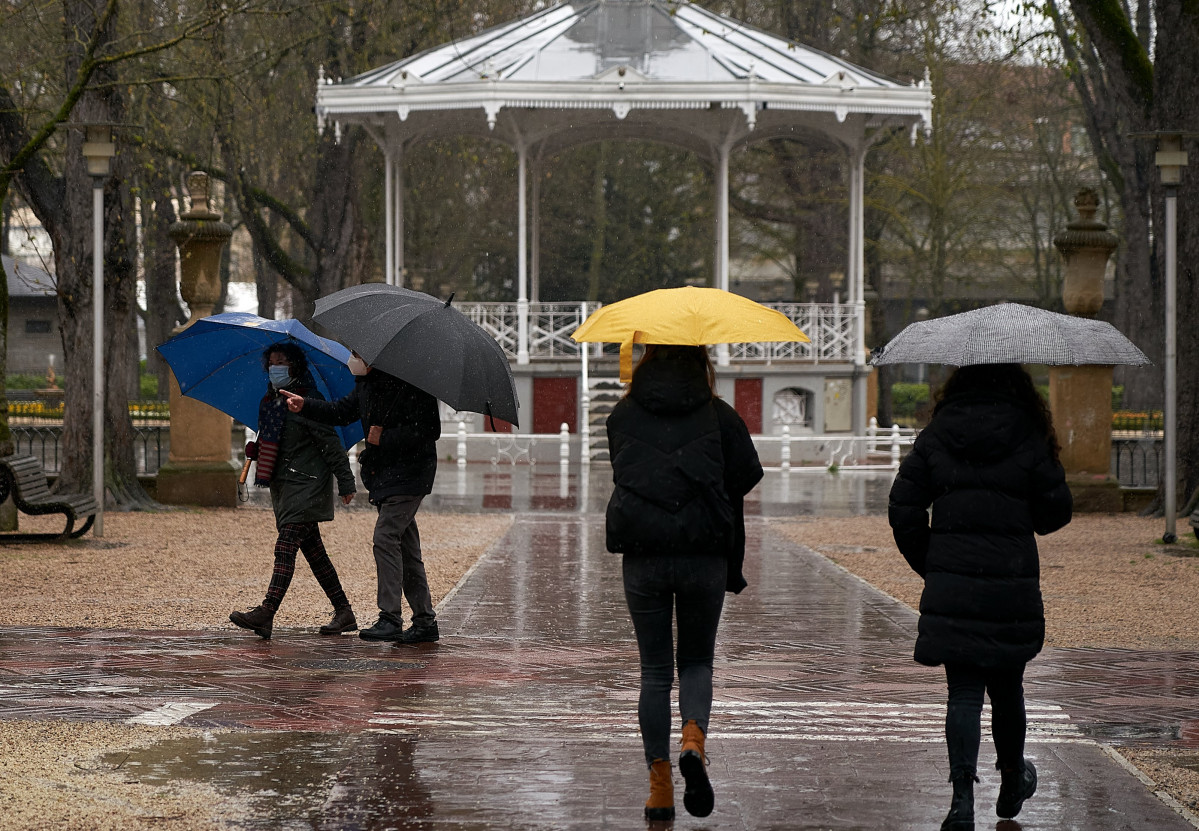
[(298, 461)]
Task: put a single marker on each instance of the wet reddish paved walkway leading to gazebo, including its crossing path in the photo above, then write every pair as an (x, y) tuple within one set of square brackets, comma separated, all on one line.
[(525, 715)]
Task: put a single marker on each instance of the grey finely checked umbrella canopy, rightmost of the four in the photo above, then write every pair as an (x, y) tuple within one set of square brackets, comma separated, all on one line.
[(1011, 334)]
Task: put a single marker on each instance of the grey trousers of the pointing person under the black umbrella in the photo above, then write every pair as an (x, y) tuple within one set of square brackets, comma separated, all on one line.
[(399, 564)]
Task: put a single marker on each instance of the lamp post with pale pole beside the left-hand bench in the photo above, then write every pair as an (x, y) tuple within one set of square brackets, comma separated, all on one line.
[(99, 152)]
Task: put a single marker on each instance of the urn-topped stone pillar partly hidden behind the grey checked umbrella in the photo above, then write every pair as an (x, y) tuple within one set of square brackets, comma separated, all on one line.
[(1081, 398)]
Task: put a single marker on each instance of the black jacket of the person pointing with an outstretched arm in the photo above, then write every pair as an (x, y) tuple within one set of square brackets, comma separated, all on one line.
[(406, 460)]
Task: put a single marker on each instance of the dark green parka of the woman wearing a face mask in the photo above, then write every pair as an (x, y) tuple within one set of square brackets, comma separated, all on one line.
[(311, 457)]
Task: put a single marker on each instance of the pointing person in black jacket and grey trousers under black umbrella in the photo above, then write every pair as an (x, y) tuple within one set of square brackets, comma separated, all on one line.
[(402, 426)]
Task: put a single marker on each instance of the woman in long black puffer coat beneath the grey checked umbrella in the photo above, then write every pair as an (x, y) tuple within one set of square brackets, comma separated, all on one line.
[(987, 465)]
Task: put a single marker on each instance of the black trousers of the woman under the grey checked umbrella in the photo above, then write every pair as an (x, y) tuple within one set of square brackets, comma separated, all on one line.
[(962, 716)]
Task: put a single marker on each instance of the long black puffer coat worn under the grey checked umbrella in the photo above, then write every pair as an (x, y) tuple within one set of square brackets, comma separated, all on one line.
[(991, 480)]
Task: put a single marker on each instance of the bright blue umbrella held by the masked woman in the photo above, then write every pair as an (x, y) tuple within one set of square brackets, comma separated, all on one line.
[(219, 360)]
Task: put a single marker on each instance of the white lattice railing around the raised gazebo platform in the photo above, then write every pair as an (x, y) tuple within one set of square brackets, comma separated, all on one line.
[(832, 327)]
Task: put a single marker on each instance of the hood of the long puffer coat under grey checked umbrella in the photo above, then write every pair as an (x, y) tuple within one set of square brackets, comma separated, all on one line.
[(981, 426)]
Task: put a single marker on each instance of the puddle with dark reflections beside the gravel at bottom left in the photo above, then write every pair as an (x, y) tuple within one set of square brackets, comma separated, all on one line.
[(297, 780)]
